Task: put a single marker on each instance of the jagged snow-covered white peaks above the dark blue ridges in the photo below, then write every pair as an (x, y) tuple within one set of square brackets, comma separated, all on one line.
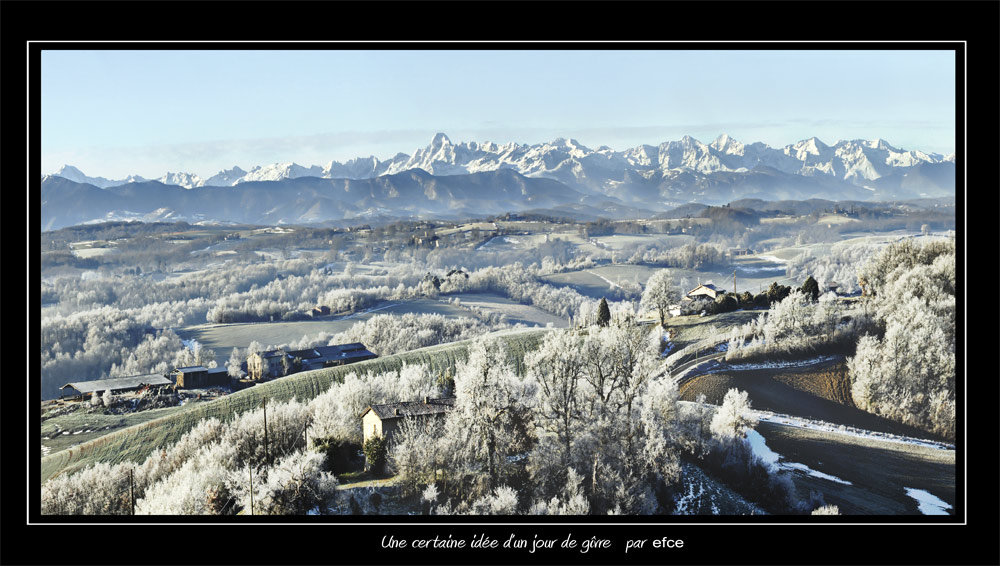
[(858, 162)]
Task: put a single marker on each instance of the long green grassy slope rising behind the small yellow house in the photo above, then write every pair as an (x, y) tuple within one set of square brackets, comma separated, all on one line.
[(137, 442)]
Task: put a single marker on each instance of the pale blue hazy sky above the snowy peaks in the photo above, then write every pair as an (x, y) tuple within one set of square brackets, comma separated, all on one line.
[(117, 113)]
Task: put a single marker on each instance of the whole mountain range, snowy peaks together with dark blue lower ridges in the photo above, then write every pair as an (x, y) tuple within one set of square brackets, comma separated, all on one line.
[(475, 179)]
